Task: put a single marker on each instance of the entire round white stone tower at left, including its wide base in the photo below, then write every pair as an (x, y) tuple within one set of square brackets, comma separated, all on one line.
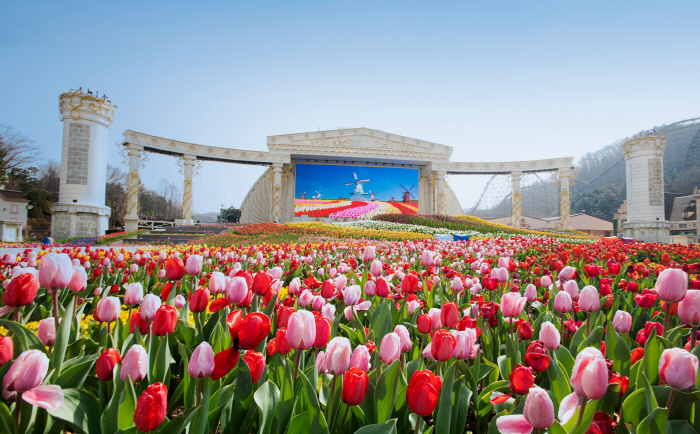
[(80, 210)]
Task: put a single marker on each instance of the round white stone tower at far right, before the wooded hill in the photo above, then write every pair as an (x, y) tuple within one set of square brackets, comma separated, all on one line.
[(644, 165)]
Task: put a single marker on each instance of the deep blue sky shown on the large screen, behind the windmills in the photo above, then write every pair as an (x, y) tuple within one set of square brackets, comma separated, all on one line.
[(330, 180)]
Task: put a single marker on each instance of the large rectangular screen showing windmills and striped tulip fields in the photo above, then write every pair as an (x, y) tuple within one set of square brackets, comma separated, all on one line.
[(354, 191)]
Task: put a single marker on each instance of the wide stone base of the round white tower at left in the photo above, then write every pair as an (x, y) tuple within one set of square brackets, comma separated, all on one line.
[(70, 220)]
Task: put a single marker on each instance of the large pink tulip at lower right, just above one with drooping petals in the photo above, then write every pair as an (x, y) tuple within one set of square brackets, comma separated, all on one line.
[(590, 374)]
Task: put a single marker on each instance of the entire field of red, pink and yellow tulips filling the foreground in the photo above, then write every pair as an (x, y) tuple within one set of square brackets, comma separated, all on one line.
[(510, 333)]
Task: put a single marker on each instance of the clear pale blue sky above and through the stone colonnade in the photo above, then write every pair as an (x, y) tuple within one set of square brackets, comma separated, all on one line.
[(496, 80)]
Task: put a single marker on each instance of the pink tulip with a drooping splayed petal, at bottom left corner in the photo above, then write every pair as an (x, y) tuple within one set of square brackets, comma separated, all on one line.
[(25, 376)]
